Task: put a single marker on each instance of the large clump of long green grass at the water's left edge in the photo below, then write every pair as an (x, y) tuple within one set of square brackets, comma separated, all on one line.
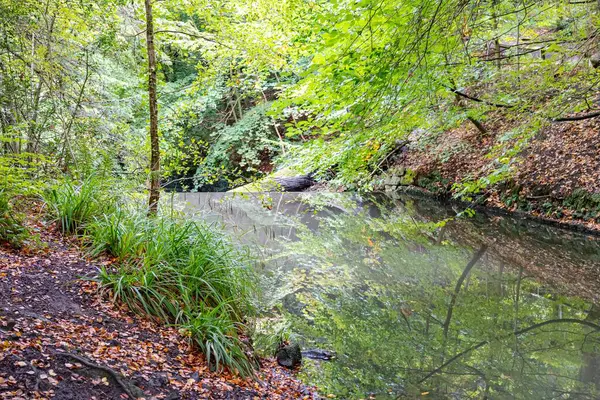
[(183, 273)]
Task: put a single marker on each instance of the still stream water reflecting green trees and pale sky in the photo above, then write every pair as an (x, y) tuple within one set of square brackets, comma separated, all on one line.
[(385, 283)]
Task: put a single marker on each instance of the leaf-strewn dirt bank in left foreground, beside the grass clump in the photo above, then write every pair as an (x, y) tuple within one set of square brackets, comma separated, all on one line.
[(60, 339)]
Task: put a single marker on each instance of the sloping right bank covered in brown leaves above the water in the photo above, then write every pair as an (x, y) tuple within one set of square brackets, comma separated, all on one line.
[(547, 177)]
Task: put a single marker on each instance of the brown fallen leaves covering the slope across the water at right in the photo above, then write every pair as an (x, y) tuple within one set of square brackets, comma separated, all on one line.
[(561, 158)]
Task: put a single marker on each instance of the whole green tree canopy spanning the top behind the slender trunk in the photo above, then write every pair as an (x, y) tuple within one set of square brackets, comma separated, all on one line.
[(245, 87)]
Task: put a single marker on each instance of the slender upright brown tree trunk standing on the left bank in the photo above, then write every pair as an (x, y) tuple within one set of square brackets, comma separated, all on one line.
[(154, 145)]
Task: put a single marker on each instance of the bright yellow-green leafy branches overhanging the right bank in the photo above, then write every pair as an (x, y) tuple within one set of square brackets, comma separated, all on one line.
[(380, 72)]
